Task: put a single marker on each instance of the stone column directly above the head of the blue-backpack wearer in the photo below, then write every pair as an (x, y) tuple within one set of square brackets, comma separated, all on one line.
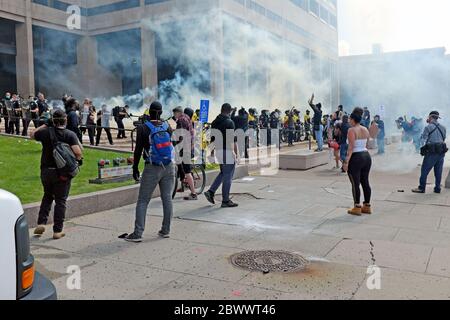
[(148, 56)]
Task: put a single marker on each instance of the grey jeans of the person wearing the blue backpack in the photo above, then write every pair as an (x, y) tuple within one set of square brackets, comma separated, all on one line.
[(151, 178)]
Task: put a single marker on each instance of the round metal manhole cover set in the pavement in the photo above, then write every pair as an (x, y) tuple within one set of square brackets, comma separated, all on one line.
[(269, 261)]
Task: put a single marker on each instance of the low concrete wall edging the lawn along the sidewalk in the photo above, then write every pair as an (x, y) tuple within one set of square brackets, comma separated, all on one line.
[(109, 199)]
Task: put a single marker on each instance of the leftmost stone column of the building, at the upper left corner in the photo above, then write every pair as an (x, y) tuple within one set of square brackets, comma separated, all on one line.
[(25, 56)]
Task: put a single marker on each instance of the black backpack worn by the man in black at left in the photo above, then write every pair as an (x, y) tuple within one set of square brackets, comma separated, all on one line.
[(66, 162)]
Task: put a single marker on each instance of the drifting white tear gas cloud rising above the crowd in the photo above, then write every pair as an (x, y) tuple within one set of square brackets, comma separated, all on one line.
[(260, 69)]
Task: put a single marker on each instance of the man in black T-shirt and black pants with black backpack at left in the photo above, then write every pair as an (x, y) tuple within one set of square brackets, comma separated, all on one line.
[(56, 187)]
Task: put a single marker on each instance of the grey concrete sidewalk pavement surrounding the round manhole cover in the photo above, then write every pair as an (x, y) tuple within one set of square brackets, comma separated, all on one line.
[(302, 212)]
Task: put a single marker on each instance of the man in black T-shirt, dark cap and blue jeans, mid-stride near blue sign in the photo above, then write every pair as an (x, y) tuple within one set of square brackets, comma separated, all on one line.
[(226, 155)]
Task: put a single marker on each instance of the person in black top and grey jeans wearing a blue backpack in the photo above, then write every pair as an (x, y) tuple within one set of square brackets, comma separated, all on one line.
[(153, 142)]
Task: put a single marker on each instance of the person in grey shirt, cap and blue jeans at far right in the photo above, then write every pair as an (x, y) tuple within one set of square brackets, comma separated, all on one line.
[(433, 151)]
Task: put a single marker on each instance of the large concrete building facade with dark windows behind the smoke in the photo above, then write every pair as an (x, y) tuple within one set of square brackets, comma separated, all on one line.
[(117, 52)]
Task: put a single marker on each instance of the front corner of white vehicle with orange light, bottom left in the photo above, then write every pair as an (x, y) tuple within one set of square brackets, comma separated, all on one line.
[(18, 278)]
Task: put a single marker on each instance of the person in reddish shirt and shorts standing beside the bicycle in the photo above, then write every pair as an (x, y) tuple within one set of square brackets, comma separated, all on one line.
[(184, 122)]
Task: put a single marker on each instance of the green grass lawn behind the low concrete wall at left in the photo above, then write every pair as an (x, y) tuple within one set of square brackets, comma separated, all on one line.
[(20, 169)]
